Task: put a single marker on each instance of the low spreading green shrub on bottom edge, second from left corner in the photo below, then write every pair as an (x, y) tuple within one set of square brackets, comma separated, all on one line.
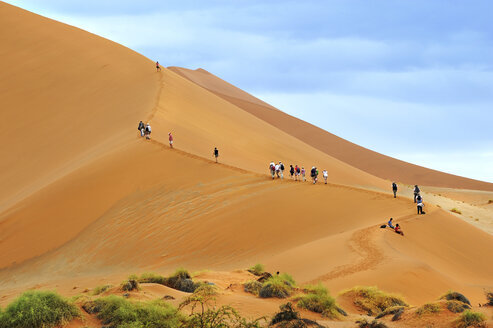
[(118, 312)]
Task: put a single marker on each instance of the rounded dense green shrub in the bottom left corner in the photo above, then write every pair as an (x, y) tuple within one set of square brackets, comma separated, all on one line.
[(41, 309)]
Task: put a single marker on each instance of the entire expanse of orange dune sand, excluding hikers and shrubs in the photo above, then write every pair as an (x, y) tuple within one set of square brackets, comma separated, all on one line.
[(86, 201)]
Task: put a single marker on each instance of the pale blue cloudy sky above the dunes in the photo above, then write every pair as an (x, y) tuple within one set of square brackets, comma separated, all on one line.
[(411, 79)]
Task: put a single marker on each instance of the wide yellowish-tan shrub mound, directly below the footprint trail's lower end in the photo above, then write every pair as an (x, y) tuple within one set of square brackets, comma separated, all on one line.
[(373, 300)]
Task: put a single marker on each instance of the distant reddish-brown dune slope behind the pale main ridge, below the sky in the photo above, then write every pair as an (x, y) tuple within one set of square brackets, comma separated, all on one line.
[(369, 161)]
